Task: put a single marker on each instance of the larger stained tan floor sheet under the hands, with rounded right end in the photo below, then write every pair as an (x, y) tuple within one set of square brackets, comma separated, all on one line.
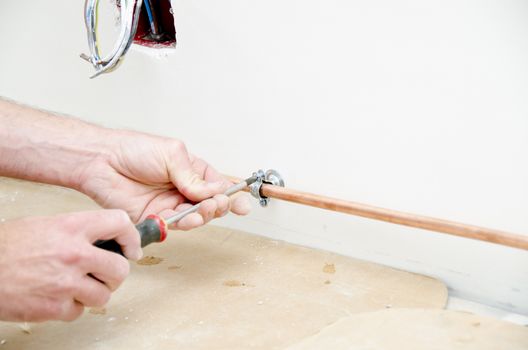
[(215, 288)]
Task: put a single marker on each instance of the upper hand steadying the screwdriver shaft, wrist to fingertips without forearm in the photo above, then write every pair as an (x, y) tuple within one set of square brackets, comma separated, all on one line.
[(144, 174)]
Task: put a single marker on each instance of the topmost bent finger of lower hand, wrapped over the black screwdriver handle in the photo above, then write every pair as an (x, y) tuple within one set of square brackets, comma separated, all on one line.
[(105, 225)]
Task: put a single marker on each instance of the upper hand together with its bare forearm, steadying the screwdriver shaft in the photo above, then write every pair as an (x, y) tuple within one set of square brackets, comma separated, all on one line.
[(140, 173)]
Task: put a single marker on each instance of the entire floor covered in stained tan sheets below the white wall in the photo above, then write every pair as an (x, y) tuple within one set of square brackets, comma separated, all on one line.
[(217, 288)]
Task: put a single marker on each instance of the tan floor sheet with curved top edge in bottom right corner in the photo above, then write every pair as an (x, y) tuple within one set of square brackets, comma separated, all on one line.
[(414, 329)]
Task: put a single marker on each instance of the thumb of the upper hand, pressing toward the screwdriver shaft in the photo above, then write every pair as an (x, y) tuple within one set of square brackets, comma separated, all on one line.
[(187, 180)]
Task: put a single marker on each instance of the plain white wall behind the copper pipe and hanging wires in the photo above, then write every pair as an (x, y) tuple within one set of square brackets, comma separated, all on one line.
[(411, 105)]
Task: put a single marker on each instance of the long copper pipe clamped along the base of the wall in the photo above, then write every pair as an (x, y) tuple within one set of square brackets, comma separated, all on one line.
[(394, 216)]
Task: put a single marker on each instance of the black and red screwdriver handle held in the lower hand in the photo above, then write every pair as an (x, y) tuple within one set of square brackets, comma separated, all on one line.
[(152, 230)]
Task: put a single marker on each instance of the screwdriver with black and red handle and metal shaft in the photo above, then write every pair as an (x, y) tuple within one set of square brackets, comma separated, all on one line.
[(154, 228)]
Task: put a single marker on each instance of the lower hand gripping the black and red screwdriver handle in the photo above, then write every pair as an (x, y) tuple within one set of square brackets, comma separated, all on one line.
[(45, 264)]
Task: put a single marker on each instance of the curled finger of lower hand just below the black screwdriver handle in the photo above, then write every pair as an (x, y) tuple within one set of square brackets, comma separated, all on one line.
[(107, 267)]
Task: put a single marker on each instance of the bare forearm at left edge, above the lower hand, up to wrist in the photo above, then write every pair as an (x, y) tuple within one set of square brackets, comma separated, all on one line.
[(39, 146)]
